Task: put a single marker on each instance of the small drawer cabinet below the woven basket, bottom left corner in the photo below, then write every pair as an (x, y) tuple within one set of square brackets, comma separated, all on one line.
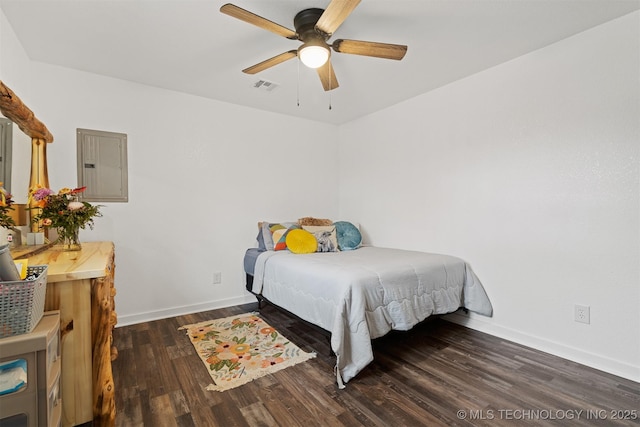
[(37, 403)]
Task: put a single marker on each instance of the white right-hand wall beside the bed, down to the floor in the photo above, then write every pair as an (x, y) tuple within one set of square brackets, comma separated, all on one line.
[(530, 172)]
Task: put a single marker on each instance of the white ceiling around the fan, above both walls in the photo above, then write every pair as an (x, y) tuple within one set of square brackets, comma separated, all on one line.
[(189, 46)]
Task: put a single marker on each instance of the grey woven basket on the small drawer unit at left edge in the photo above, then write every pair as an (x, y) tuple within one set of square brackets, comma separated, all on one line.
[(22, 302)]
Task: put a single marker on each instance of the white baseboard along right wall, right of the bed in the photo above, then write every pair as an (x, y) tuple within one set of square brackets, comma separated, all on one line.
[(577, 355)]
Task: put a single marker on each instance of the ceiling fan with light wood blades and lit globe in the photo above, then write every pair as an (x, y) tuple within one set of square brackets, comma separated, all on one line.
[(314, 27)]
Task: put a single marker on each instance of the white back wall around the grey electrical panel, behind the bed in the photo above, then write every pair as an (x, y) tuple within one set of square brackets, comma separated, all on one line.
[(202, 173)]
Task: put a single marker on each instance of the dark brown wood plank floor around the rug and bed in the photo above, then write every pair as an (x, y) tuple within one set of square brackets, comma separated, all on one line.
[(438, 374)]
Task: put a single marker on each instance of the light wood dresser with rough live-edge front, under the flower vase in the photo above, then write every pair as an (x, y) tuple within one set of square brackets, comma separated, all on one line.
[(80, 285)]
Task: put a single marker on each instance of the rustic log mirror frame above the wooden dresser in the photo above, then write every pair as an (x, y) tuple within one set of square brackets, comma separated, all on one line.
[(14, 109)]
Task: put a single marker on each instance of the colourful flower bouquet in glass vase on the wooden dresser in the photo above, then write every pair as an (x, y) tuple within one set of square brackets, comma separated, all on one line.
[(64, 212)]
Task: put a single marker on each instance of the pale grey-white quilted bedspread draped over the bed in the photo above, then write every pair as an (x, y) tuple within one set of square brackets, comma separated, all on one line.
[(363, 294)]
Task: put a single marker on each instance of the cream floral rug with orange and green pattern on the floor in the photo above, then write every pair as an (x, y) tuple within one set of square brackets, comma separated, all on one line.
[(238, 349)]
